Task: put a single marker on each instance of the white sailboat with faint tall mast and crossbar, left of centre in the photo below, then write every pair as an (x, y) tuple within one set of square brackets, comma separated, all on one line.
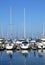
[(9, 42)]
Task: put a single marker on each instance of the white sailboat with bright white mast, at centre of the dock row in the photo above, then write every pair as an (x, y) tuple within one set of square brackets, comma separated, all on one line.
[(24, 44)]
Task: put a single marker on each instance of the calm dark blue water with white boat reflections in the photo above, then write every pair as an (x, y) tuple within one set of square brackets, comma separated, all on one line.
[(22, 57)]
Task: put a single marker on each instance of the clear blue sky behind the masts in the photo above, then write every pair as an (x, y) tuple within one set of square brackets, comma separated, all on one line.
[(34, 14)]
